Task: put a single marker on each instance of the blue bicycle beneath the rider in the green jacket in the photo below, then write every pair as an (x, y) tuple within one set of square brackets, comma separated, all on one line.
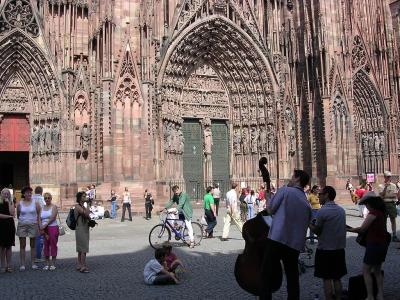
[(162, 232)]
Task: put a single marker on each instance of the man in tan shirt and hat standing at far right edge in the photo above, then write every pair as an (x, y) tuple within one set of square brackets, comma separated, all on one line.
[(388, 192)]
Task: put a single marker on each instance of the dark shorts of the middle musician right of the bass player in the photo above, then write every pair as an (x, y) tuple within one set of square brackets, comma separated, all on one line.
[(330, 264)]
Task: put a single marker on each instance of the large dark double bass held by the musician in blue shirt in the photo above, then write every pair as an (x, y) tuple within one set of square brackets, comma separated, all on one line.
[(255, 233)]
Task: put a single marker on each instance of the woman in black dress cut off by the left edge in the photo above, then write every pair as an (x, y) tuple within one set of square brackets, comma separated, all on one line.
[(7, 230)]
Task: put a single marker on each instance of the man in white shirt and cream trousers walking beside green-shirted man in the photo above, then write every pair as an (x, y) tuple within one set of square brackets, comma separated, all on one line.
[(232, 213)]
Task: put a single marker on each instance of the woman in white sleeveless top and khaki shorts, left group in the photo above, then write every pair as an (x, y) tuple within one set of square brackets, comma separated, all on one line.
[(28, 212)]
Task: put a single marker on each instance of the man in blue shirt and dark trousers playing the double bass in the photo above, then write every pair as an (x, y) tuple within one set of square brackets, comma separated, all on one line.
[(286, 238)]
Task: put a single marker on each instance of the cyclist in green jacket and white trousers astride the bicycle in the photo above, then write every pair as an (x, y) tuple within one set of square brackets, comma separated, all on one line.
[(184, 207)]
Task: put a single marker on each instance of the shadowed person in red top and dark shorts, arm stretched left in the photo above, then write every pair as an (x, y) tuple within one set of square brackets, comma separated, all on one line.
[(377, 242)]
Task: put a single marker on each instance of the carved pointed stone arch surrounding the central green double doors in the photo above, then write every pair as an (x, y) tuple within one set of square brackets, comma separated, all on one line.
[(245, 72)]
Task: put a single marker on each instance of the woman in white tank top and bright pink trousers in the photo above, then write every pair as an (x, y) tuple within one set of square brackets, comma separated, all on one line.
[(49, 228)]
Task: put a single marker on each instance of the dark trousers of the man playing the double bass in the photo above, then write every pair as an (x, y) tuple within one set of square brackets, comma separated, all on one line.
[(278, 252)]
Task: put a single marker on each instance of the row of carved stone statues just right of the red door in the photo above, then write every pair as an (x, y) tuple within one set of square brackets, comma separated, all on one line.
[(45, 137)]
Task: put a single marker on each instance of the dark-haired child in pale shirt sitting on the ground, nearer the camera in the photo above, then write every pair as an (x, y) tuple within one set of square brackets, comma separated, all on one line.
[(155, 273)]
